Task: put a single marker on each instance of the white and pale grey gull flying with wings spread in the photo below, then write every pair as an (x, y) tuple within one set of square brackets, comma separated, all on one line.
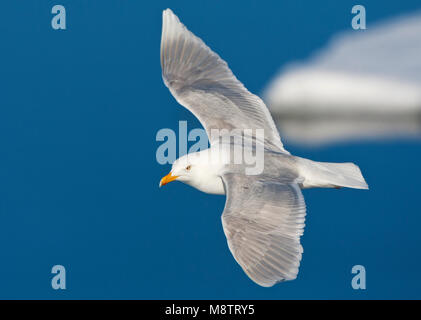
[(264, 213)]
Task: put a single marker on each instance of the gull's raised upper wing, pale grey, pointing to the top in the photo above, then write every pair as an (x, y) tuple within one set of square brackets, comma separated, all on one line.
[(203, 83)]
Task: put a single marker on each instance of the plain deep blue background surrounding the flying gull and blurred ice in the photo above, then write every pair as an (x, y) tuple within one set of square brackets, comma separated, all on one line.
[(79, 111)]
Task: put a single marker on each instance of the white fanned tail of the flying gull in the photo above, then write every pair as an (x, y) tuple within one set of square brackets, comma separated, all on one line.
[(330, 175)]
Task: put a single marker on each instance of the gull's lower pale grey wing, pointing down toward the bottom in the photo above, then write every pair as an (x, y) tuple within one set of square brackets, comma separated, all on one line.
[(263, 222)]
